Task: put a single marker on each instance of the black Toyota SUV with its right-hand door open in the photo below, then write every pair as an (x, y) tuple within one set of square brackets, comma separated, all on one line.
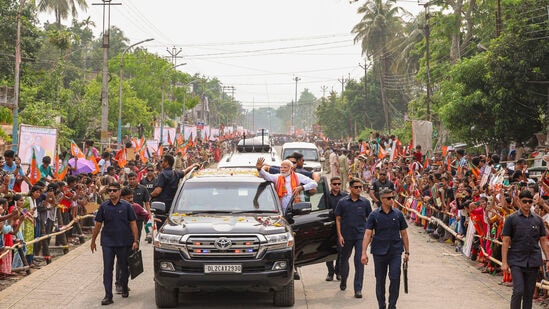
[(226, 231)]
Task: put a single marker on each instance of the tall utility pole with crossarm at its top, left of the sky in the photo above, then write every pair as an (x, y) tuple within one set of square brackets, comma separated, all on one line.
[(105, 79)]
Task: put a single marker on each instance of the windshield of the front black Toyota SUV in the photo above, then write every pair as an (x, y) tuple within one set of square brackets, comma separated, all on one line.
[(226, 197)]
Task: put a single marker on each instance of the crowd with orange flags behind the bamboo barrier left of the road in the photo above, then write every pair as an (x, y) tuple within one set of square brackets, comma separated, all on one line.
[(59, 201)]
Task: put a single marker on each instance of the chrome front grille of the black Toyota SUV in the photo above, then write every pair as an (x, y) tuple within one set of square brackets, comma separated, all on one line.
[(204, 247)]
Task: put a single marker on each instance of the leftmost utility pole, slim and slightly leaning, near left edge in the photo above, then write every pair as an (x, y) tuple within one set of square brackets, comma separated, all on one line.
[(15, 129)]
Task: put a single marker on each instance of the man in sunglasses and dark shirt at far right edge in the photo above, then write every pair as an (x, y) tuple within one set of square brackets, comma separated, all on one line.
[(523, 233)]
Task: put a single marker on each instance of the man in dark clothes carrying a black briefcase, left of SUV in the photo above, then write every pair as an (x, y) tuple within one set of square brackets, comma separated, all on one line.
[(118, 235)]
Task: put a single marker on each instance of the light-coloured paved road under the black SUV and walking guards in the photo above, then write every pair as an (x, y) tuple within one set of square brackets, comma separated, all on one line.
[(439, 278)]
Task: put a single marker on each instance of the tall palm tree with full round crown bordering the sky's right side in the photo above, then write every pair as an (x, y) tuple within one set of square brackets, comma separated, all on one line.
[(379, 27)]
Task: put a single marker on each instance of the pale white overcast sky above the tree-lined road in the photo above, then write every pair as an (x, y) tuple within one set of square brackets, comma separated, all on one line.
[(256, 46)]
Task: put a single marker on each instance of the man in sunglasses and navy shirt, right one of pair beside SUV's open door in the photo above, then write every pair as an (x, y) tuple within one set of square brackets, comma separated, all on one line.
[(389, 240)]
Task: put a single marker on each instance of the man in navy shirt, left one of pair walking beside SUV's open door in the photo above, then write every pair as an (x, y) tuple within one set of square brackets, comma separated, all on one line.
[(351, 214)]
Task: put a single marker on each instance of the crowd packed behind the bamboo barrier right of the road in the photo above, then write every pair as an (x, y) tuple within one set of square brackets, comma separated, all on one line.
[(460, 198)]
